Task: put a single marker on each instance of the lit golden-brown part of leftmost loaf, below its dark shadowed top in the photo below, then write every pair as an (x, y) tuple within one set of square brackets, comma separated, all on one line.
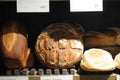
[(14, 50)]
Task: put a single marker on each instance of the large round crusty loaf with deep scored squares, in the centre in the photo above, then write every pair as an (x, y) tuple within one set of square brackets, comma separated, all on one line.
[(60, 45)]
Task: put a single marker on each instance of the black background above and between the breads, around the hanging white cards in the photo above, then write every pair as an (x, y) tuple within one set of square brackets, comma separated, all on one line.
[(60, 12)]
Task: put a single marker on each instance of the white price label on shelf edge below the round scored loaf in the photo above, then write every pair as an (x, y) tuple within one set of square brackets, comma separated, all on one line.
[(59, 77)]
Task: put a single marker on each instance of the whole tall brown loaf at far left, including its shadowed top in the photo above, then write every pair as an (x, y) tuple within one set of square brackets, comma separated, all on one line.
[(14, 46)]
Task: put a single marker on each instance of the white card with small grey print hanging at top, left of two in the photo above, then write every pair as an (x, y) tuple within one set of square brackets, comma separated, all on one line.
[(32, 5)]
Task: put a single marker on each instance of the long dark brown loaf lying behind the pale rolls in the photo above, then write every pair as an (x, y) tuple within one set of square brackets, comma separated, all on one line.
[(102, 37)]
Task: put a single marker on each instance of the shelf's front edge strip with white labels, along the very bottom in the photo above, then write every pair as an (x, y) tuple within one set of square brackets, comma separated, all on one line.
[(62, 77)]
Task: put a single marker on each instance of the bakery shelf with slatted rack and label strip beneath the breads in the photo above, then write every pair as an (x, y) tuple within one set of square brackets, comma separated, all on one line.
[(57, 74)]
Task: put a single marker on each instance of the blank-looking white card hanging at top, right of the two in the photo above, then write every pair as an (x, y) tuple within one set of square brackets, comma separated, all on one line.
[(86, 5)]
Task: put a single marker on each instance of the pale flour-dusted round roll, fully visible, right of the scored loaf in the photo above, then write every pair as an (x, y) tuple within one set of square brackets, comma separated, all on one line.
[(97, 60)]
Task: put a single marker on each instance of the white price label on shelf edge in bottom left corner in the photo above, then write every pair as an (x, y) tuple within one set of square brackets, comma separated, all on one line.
[(13, 78)]
